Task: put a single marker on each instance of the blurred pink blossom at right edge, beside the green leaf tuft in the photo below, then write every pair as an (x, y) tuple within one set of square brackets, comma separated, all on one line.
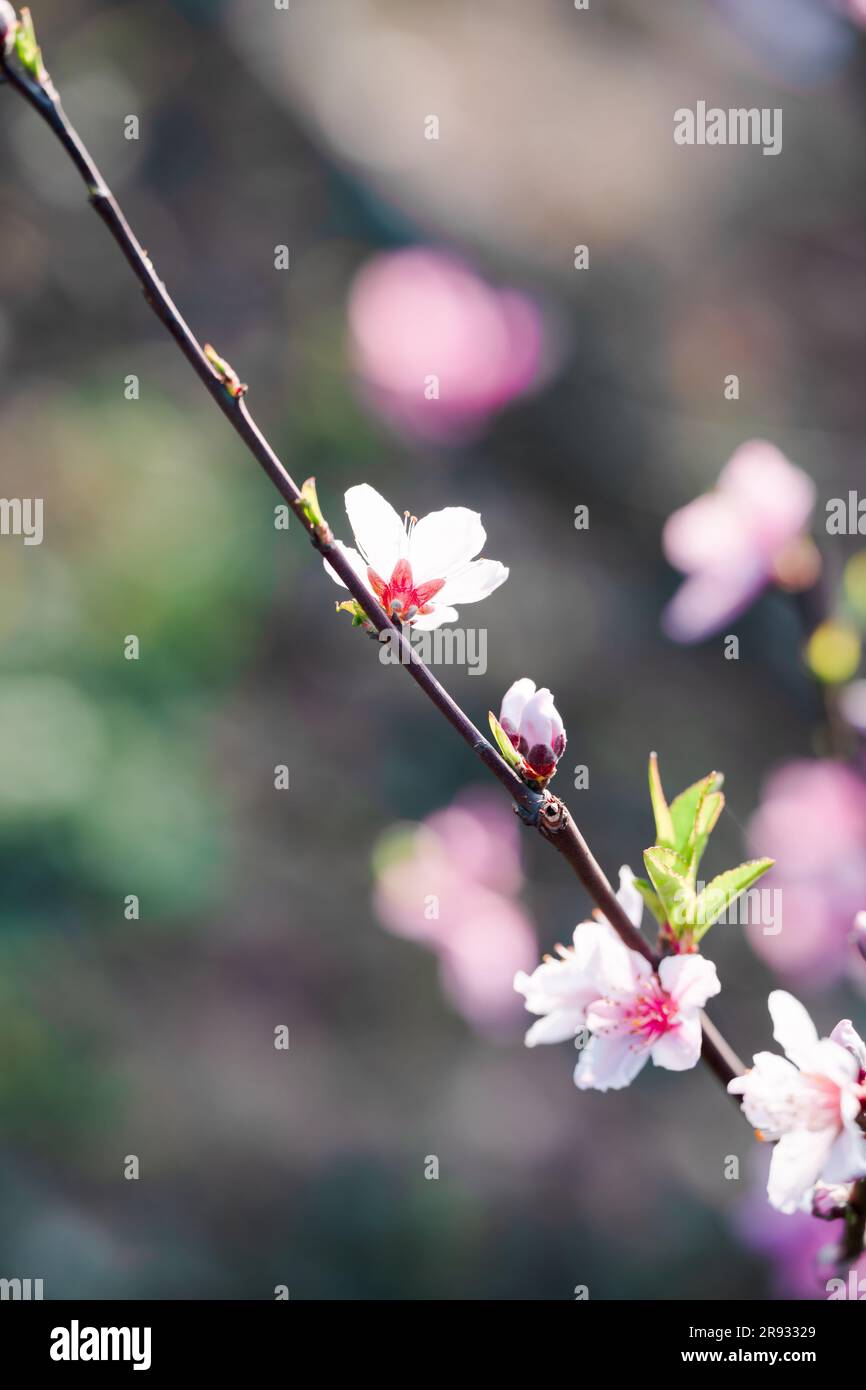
[(812, 822)]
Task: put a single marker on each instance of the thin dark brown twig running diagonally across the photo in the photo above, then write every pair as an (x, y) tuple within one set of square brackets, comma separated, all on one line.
[(539, 810)]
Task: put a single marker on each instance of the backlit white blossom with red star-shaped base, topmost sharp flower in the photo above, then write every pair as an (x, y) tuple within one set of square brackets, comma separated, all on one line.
[(418, 569)]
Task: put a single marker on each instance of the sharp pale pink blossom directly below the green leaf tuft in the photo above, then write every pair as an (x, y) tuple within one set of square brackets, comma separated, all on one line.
[(632, 1013)]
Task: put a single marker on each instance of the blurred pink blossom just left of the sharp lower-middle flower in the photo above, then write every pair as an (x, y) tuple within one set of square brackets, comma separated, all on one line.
[(451, 883)]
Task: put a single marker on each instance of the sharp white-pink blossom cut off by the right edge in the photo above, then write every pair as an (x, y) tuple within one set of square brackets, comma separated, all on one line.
[(810, 1103)]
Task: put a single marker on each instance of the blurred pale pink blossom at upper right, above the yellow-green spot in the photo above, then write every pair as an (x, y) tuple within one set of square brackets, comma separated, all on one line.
[(739, 539)]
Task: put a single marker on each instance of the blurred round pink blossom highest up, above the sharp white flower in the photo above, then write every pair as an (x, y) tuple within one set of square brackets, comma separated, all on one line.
[(437, 348)]
